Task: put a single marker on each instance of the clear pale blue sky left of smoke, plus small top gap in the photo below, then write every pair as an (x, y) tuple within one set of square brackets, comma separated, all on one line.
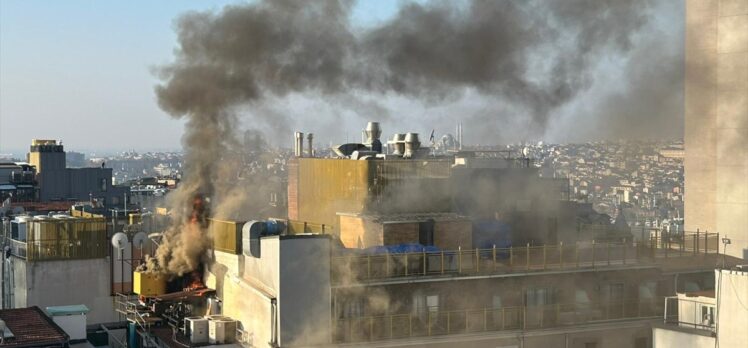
[(80, 70)]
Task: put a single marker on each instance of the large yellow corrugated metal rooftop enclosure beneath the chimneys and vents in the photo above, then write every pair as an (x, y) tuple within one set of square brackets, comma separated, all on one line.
[(330, 186)]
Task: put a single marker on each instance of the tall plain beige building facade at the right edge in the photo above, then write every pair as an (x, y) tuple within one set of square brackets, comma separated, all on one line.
[(716, 120)]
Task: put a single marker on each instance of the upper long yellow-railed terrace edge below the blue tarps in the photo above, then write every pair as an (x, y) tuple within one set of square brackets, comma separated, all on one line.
[(522, 259)]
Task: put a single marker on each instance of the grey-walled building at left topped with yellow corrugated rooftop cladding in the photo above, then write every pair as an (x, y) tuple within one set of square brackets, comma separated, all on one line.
[(60, 260)]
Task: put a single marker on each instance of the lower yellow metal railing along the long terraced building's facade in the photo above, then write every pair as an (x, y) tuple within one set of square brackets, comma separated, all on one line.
[(431, 322)]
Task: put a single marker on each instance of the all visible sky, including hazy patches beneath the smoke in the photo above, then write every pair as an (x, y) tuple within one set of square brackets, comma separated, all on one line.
[(81, 71)]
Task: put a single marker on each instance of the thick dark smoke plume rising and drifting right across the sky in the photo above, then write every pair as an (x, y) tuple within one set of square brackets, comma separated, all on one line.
[(533, 56)]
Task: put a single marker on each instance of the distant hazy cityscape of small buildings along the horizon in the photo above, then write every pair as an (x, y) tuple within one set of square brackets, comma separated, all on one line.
[(644, 180)]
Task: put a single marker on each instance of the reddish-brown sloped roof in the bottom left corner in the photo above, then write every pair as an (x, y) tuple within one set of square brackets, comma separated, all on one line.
[(30, 327)]
